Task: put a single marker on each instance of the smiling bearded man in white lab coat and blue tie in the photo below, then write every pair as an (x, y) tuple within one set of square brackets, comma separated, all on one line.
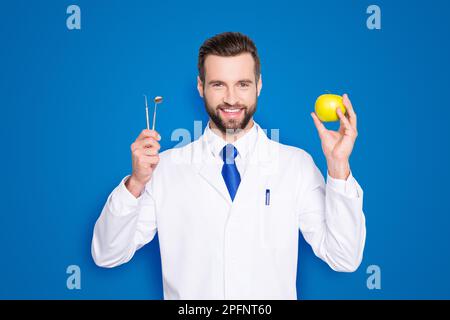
[(228, 207)]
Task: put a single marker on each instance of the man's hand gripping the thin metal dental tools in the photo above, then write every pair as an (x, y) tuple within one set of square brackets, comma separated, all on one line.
[(145, 158)]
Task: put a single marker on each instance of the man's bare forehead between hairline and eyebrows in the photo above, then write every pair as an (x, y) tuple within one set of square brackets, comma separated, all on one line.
[(230, 68)]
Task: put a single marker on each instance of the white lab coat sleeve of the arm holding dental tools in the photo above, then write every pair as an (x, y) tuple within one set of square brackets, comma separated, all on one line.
[(125, 225)]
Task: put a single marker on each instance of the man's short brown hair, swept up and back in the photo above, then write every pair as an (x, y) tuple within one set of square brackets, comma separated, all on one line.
[(227, 44)]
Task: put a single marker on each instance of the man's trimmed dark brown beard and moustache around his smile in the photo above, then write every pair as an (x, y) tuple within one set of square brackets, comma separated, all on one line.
[(230, 125)]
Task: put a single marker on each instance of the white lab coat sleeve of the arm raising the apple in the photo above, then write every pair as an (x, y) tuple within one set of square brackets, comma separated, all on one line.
[(331, 217)]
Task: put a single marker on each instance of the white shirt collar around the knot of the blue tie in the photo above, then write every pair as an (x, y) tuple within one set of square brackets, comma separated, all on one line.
[(244, 144)]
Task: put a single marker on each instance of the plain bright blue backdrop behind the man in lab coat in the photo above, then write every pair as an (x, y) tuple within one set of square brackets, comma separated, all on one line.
[(71, 105)]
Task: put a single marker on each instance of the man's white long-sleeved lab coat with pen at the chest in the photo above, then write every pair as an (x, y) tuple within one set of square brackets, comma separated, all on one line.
[(212, 248)]
